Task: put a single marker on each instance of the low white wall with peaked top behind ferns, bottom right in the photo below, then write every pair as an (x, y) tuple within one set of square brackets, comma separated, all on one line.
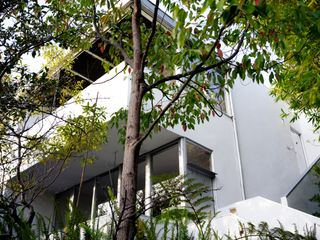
[(257, 210)]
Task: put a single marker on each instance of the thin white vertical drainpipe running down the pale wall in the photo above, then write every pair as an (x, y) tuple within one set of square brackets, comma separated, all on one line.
[(237, 144)]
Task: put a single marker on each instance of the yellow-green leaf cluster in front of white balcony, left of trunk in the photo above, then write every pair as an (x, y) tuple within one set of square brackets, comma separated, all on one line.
[(86, 132)]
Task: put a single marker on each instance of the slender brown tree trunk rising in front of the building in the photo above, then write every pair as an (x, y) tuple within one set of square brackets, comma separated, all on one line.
[(132, 146)]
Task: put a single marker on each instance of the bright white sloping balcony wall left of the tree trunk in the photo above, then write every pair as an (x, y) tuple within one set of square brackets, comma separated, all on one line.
[(109, 91)]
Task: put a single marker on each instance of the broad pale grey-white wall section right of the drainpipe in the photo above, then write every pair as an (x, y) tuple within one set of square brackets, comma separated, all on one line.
[(269, 163)]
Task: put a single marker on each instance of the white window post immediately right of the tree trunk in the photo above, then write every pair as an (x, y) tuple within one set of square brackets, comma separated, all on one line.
[(148, 185)]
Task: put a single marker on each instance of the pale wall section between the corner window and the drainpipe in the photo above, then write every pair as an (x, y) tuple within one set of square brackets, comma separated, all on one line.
[(218, 135)]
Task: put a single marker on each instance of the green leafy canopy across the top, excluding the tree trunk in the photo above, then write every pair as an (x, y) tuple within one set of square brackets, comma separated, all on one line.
[(216, 42)]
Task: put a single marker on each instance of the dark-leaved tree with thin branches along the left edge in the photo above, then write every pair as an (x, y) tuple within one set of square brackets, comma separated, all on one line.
[(26, 98)]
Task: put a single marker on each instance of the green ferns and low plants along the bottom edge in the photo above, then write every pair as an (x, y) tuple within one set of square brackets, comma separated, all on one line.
[(172, 223)]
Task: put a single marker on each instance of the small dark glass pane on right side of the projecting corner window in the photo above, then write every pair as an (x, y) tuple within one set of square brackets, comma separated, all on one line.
[(198, 156)]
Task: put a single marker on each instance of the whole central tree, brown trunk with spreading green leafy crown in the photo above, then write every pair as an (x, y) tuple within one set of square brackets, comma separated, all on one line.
[(212, 44)]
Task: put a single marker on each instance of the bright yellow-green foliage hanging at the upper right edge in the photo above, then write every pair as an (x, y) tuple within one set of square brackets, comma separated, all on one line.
[(299, 84)]
